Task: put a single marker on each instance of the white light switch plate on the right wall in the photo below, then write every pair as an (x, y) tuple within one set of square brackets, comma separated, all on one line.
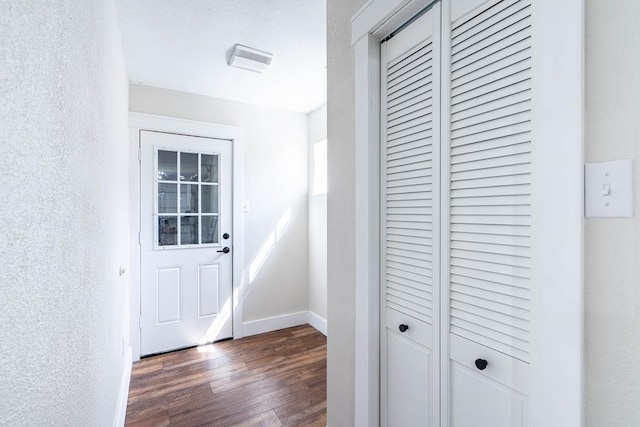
[(608, 189)]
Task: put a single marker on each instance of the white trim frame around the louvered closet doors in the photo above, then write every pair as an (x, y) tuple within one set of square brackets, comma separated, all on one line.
[(557, 264)]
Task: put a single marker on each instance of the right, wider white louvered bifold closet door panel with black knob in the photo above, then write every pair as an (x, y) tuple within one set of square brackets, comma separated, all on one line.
[(489, 202)]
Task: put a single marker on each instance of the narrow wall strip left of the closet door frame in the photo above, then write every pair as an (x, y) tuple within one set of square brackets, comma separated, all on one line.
[(341, 213)]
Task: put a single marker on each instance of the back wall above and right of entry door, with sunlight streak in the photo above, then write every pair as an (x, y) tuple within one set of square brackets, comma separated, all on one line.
[(275, 185)]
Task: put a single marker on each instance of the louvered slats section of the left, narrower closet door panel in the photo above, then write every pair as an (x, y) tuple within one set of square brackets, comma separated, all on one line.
[(408, 155)]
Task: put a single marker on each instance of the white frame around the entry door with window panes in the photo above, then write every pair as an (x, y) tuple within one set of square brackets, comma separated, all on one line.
[(150, 122)]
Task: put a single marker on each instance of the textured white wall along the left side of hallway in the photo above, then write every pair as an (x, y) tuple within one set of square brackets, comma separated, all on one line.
[(64, 174)]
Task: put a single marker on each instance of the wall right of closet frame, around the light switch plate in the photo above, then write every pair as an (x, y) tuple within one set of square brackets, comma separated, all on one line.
[(612, 245)]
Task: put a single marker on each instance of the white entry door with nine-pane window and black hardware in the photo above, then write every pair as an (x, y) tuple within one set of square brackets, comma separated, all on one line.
[(185, 241)]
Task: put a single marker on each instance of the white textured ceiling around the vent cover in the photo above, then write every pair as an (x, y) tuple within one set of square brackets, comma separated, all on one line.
[(184, 45)]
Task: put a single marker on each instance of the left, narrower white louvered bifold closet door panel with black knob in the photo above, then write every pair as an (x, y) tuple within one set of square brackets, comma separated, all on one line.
[(409, 249)]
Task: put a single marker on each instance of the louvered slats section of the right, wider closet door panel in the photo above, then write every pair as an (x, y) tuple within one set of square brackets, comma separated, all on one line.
[(490, 177)]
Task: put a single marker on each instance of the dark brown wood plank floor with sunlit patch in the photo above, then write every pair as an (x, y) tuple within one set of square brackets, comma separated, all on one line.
[(273, 379)]
